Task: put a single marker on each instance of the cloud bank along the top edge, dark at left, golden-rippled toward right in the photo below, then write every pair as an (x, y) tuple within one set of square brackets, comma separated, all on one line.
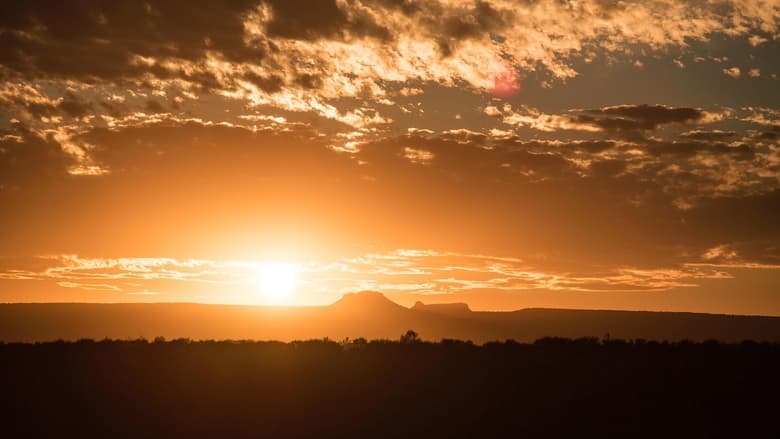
[(345, 48)]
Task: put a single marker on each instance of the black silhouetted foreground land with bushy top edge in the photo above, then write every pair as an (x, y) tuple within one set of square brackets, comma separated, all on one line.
[(550, 388)]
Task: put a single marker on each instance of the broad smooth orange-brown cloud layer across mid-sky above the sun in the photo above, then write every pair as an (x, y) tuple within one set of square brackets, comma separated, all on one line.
[(646, 203)]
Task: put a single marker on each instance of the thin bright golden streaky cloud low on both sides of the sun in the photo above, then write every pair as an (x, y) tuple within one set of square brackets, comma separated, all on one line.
[(421, 271)]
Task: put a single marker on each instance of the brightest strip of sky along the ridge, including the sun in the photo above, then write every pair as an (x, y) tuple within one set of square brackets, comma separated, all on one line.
[(487, 283)]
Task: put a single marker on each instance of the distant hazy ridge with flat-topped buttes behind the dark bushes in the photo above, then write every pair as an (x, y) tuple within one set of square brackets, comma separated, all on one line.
[(364, 314)]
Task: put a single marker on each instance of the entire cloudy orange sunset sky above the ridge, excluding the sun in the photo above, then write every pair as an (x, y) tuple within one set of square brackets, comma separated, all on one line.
[(504, 153)]
